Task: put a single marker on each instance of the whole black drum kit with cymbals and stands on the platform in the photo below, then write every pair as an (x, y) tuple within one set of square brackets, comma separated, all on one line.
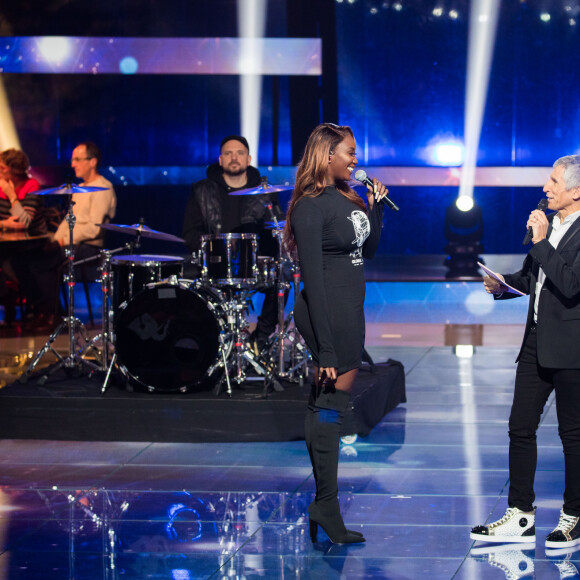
[(166, 333)]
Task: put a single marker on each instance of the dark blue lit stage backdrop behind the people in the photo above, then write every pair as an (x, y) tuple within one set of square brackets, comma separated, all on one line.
[(394, 71)]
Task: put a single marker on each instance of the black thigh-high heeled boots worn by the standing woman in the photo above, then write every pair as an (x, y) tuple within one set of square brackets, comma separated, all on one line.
[(322, 433)]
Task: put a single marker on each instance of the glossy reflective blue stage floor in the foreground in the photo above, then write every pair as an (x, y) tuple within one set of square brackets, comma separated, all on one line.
[(433, 468)]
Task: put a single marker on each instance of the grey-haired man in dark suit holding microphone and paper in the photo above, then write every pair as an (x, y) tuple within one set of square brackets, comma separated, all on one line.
[(549, 360)]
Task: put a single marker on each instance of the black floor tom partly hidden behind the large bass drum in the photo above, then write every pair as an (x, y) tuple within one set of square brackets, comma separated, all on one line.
[(131, 273)]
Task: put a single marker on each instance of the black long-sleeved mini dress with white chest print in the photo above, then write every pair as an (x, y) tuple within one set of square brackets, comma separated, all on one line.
[(333, 235)]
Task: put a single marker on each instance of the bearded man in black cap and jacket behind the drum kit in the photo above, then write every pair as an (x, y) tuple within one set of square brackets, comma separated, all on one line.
[(211, 210)]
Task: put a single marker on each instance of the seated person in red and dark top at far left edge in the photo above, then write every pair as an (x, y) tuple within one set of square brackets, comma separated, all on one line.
[(19, 213)]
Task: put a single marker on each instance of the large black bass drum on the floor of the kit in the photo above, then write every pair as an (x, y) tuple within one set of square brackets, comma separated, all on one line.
[(167, 337)]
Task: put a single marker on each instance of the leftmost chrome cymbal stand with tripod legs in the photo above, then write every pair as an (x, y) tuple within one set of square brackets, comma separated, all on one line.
[(73, 361)]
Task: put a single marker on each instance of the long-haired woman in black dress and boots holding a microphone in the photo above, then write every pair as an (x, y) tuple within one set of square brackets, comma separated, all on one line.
[(332, 230)]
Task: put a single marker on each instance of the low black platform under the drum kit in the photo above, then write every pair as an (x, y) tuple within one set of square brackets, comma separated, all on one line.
[(74, 409)]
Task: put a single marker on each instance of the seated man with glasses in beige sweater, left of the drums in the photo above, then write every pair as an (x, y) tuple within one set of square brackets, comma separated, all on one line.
[(89, 208)]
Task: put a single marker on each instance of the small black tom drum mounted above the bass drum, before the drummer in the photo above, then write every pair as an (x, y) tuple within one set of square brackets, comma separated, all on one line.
[(229, 259)]
